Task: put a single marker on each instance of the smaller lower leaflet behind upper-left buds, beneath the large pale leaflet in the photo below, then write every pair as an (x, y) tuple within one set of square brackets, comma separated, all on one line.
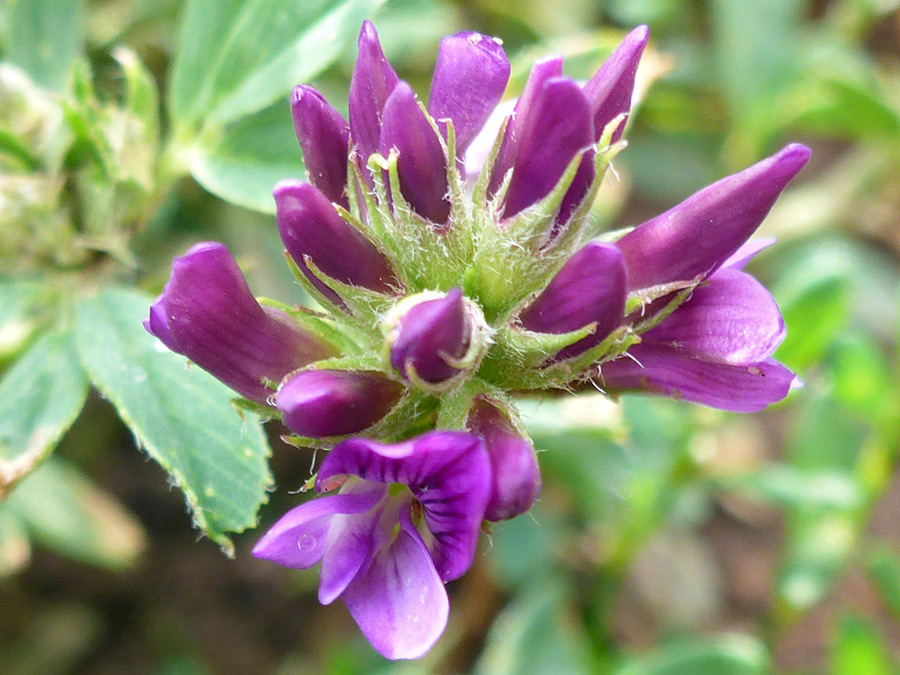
[(243, 165)]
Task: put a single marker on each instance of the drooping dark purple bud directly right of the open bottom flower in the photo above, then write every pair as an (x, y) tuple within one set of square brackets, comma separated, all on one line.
[(515, 475)]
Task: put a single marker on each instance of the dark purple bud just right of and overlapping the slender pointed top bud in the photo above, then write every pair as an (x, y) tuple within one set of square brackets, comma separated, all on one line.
[(421, 166)]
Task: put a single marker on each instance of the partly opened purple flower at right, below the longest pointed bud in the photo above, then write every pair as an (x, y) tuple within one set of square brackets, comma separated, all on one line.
[(715, 349)]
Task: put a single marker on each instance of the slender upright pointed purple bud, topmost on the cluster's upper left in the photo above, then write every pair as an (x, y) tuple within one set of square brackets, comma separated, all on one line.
[(372, 83)]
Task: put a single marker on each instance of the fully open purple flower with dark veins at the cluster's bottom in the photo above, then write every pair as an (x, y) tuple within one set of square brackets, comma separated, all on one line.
[(405, 521)]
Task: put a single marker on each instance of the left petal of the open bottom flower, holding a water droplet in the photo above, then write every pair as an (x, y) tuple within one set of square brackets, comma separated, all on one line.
[(298, 539)]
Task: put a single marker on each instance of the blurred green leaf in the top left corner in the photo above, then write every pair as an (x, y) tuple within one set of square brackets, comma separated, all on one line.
[(46, 37)]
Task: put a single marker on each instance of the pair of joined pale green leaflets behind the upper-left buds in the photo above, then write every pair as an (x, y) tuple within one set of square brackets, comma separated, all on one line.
[(236, 65)]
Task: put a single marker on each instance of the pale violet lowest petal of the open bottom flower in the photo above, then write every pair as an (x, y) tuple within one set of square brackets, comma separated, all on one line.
[(399, 602)]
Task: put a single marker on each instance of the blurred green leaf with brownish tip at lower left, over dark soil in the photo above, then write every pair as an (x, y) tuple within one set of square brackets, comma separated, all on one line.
[(64, 512)]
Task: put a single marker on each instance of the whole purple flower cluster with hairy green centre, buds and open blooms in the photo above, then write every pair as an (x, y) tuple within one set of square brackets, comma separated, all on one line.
[(450, 250)]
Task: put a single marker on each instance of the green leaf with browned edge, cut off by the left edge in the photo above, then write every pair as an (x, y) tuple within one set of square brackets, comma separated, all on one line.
[(40, 397)]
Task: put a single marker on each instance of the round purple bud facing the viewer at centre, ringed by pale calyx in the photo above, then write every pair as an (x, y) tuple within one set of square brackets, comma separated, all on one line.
[(435, 337)]
